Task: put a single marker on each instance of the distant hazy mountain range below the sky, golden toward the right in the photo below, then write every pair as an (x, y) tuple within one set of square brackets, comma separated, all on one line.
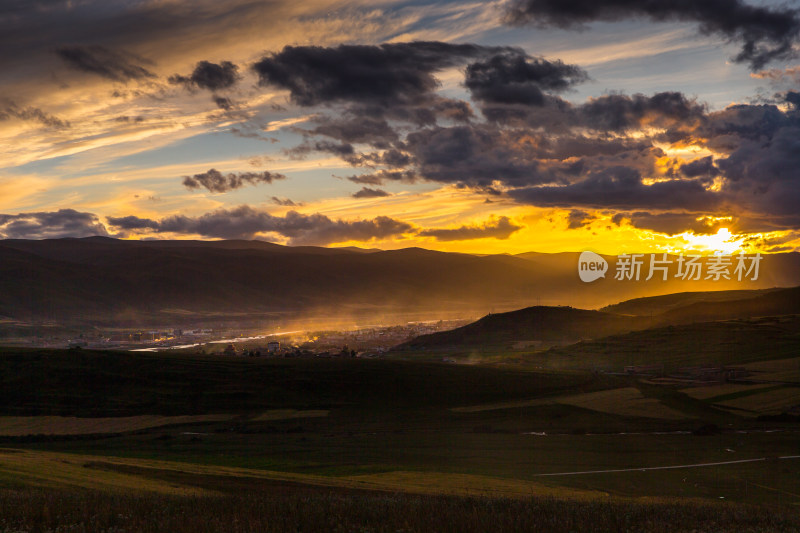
[(104, 281)]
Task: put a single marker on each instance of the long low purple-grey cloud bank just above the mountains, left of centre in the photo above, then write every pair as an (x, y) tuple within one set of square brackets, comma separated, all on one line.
[(244, 222)]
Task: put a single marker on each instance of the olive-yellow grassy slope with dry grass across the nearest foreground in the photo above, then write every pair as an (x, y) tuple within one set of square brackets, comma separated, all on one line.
[(68, 492)]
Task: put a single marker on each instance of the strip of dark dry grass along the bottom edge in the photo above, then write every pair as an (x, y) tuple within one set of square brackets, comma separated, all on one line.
[(314, 509)]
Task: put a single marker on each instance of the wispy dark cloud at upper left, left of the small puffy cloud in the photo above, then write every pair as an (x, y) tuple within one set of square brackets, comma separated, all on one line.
[(117, 66)]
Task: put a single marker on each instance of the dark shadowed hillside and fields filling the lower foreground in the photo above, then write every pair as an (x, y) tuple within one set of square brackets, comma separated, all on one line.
[(428, 436)]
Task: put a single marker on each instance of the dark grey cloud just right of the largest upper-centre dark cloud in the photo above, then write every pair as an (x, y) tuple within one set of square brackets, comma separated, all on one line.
[(516, 79)]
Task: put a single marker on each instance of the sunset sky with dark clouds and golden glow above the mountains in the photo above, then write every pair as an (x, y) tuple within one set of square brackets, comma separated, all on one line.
[(479, 127)]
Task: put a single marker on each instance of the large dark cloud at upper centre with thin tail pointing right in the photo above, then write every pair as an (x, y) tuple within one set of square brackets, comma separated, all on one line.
[(385, 75)]
